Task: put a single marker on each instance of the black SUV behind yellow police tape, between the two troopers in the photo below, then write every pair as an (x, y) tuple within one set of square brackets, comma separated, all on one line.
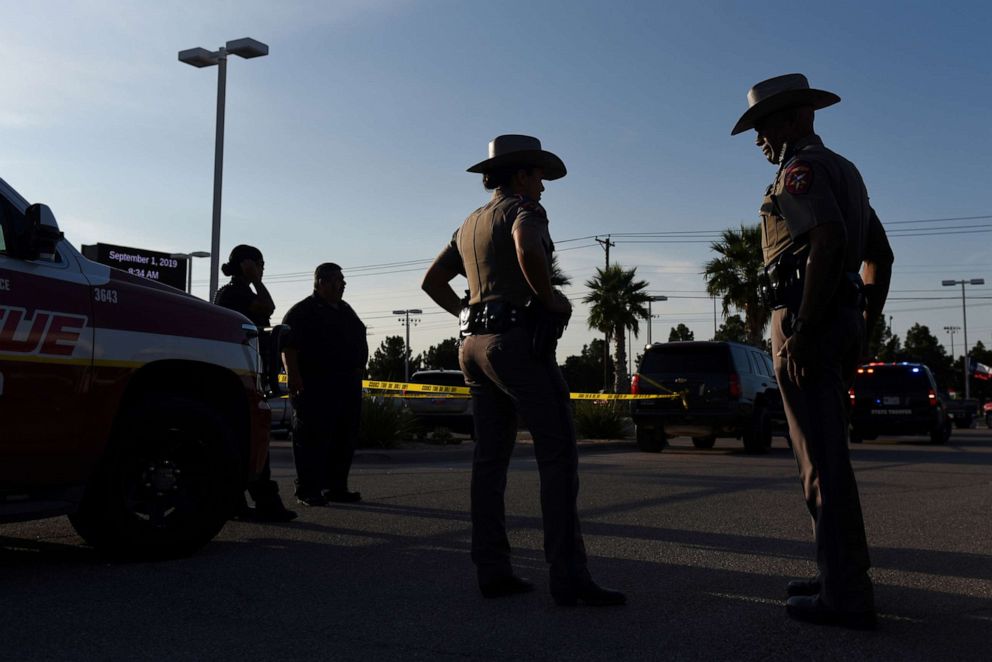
[(725, 389)]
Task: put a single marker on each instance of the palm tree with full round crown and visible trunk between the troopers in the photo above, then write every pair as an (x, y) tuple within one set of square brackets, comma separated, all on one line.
[(618, 303)]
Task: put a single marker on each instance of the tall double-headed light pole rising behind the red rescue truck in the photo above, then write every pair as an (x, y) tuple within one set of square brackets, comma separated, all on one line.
[(201, 57)]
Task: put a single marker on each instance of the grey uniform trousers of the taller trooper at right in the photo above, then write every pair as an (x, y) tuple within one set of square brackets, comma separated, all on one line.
[(818, 424)]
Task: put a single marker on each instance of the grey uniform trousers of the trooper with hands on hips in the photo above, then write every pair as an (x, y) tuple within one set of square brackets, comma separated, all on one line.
[(506, 379)]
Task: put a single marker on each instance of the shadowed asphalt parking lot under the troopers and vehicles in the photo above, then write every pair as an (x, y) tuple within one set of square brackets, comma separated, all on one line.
[(703, 542)]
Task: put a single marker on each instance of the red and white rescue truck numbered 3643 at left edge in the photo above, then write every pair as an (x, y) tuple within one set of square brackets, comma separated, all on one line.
[(129, 405)]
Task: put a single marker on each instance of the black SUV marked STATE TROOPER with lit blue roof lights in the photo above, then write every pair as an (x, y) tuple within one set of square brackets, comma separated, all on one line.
[(898, 399)]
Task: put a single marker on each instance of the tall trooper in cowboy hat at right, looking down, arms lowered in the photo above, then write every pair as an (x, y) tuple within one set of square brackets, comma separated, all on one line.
[(829, 264)]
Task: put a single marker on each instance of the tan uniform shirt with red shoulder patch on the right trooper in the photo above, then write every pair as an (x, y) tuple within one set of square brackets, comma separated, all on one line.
[(815, 186)]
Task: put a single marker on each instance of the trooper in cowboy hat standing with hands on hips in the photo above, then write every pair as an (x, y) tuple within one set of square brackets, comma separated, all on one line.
[(504, 250)]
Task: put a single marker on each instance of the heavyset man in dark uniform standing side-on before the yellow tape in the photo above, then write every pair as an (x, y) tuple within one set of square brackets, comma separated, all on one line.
[(325, 353)]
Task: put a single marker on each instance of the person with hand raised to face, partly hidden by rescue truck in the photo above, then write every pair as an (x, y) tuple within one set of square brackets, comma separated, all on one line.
[(245, 267)]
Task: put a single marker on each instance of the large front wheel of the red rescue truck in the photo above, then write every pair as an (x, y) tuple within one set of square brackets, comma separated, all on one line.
[(167, 484)]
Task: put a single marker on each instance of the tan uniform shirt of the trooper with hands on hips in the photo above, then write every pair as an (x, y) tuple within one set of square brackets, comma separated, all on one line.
[(483, 249)]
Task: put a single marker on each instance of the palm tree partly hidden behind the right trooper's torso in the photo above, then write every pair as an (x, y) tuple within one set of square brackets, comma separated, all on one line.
[(734, 276)]
